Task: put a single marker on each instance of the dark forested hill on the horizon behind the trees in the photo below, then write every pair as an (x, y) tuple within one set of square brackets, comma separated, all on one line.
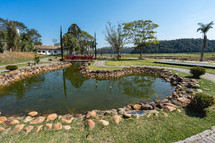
[(170, 46)]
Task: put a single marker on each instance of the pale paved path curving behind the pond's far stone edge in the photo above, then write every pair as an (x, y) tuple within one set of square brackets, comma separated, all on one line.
[(207, 76)]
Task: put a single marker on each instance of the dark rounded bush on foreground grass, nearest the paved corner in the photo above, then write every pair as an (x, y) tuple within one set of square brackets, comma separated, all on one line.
[(200, 102)]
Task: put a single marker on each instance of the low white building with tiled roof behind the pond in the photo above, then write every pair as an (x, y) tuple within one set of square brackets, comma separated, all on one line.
[(49, 50)]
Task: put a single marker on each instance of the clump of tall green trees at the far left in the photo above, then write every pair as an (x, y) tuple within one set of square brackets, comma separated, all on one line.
[(17, 36)]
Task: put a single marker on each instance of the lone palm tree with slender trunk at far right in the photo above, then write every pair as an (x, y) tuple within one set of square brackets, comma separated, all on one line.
[(204, 28)]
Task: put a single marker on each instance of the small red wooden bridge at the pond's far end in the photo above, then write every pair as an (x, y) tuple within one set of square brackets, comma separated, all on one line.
[(78, 58)]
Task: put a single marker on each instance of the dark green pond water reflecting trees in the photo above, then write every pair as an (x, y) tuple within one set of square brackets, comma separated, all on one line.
[(66, 91)]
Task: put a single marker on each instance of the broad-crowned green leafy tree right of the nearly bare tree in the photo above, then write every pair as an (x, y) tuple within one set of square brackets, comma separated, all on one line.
[(142, 33)]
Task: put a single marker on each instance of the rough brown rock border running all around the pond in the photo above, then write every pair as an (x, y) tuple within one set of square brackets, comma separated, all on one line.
[(180, 97)]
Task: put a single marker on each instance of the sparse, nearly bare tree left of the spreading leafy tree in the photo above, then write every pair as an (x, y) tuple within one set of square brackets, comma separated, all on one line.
[(115, 37)]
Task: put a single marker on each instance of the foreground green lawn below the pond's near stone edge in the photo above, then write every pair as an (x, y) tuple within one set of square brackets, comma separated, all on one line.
[(176, 126)]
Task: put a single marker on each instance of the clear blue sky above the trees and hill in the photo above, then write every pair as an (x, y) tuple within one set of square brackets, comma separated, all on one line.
[(176, 18)]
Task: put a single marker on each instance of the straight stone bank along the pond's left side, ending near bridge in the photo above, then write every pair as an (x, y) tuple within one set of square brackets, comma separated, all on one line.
[(14, 76)]
